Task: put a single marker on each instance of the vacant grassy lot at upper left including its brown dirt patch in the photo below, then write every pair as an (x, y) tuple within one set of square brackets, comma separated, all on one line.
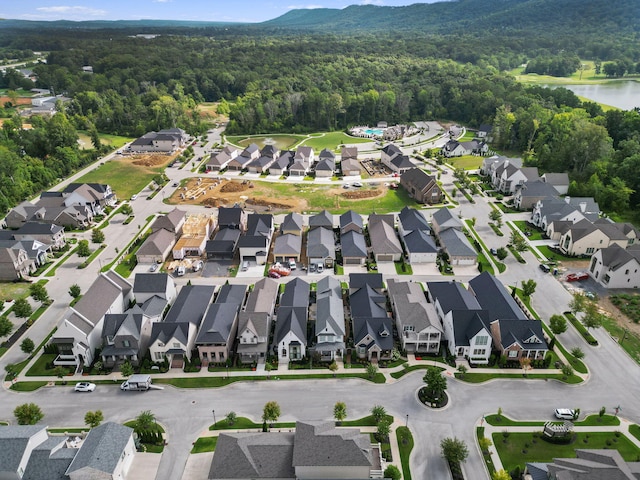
[(128, 175)]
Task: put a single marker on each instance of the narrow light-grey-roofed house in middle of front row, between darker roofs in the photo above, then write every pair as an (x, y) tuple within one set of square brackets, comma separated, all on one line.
[(330, 327)]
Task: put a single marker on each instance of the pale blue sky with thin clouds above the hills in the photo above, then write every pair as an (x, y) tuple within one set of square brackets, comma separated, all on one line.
[(204, 10)]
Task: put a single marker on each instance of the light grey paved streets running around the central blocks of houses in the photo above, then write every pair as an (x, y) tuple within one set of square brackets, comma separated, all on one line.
[(185, 413)]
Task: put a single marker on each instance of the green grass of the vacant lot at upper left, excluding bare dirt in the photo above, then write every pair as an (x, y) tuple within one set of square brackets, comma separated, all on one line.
[(124, 177)]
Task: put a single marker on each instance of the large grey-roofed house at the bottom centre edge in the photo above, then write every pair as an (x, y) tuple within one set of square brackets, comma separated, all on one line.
[(315, 450)]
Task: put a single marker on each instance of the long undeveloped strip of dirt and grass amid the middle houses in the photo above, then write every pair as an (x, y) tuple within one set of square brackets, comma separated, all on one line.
[(288, 197)]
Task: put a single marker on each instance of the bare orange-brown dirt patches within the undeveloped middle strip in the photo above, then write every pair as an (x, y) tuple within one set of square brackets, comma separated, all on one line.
[(259, 196)]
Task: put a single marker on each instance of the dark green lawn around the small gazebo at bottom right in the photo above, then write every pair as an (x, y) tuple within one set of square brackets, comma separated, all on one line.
[(511, 453)]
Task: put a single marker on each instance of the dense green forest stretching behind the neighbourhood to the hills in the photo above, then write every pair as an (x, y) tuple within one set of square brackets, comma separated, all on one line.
[(271, 79)]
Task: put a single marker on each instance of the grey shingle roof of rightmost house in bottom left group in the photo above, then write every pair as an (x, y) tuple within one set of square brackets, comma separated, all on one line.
[(102, 448)]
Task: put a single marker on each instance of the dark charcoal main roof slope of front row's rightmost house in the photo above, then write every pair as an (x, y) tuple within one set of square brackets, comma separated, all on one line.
[(494, 297)]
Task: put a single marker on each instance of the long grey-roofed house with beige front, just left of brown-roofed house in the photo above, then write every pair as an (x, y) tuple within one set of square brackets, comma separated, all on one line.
[(219, 326)]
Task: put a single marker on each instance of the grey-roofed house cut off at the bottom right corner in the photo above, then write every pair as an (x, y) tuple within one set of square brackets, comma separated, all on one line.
[(593, 464)]
